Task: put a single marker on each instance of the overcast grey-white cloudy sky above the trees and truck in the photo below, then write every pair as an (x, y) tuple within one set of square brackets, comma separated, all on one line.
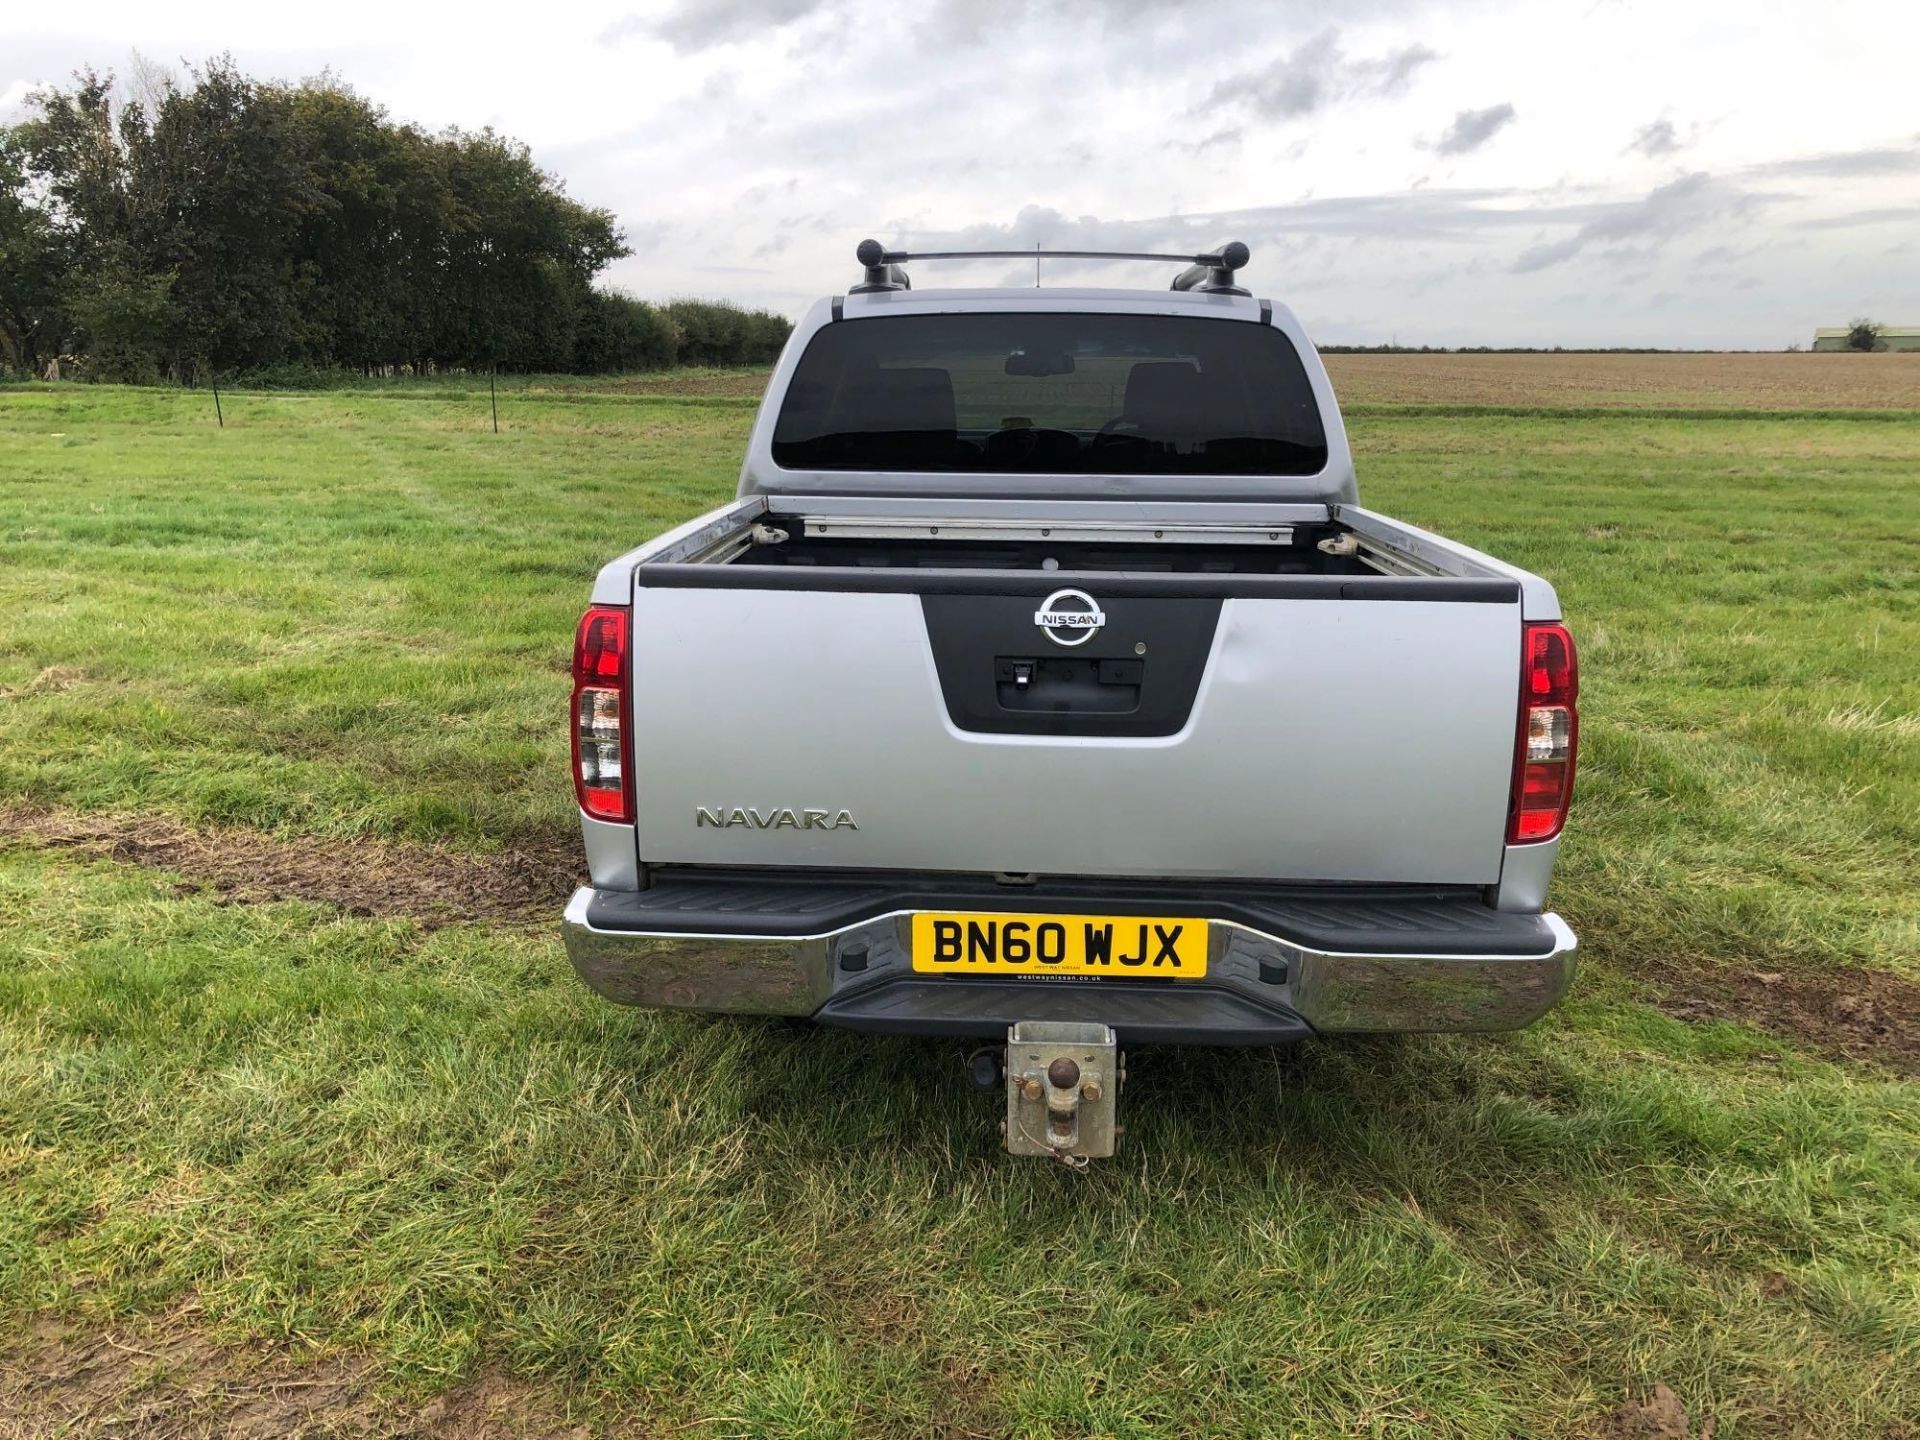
[(1502, 172)]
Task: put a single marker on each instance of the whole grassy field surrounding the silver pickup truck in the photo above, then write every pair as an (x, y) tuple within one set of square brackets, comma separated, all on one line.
[(287, 1140)]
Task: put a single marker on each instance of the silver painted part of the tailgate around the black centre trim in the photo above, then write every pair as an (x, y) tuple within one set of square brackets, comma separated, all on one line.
[(1330, 740)]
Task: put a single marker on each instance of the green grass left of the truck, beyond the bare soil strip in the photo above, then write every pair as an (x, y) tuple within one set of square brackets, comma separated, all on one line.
[(343, 613)]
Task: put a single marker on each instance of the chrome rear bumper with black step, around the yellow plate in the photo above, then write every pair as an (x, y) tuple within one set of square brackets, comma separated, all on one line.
[(1260, 986)]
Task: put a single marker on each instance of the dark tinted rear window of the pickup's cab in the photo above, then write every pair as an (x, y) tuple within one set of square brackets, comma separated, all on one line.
[(1051, 395)]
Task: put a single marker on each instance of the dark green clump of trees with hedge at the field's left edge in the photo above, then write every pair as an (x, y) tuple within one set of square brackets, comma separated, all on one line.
[(228, 224)]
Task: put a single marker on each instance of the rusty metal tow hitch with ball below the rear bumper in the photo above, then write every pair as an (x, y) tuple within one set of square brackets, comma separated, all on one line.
[(1063, 1090)]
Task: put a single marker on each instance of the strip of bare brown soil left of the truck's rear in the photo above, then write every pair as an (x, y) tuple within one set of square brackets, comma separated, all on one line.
[(366, 878)]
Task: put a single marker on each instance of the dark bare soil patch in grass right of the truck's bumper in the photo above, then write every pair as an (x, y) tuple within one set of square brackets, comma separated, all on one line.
[(1858, 1015)]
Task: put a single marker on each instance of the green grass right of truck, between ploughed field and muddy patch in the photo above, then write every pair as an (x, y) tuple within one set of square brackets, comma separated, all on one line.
[(1748, 608)]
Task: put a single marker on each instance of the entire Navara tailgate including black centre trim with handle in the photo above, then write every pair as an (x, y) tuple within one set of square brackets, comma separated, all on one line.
[(1245, 727)]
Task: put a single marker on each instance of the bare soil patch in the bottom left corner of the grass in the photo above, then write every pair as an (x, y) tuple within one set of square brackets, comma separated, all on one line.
[(172, 1383)]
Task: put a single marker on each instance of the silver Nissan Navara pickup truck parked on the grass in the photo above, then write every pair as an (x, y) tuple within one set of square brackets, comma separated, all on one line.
[(1047, 683)]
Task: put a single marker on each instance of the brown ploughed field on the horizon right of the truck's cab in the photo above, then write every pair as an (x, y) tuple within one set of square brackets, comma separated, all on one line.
[(1760, 383)]
